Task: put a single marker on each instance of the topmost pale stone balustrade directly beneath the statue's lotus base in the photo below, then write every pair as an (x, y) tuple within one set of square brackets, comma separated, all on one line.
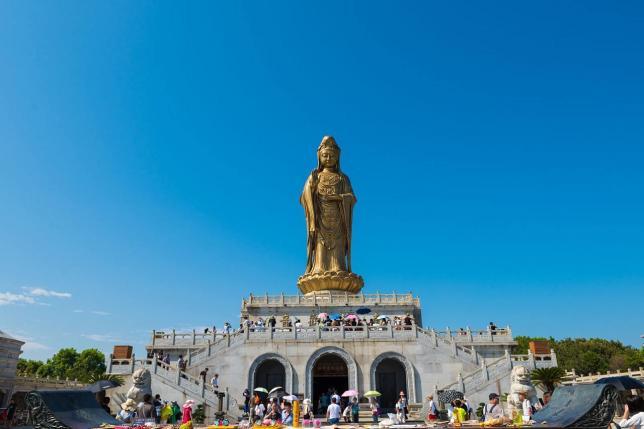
[(325, 298)]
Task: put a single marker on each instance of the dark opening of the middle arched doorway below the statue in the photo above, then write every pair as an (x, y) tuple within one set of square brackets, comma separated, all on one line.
[(330, 374)]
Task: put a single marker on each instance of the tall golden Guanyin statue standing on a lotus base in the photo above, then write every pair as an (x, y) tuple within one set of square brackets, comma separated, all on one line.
[(328, 202)]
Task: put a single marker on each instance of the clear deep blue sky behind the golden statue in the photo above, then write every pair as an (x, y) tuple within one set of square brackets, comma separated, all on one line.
[(152, 155)]
